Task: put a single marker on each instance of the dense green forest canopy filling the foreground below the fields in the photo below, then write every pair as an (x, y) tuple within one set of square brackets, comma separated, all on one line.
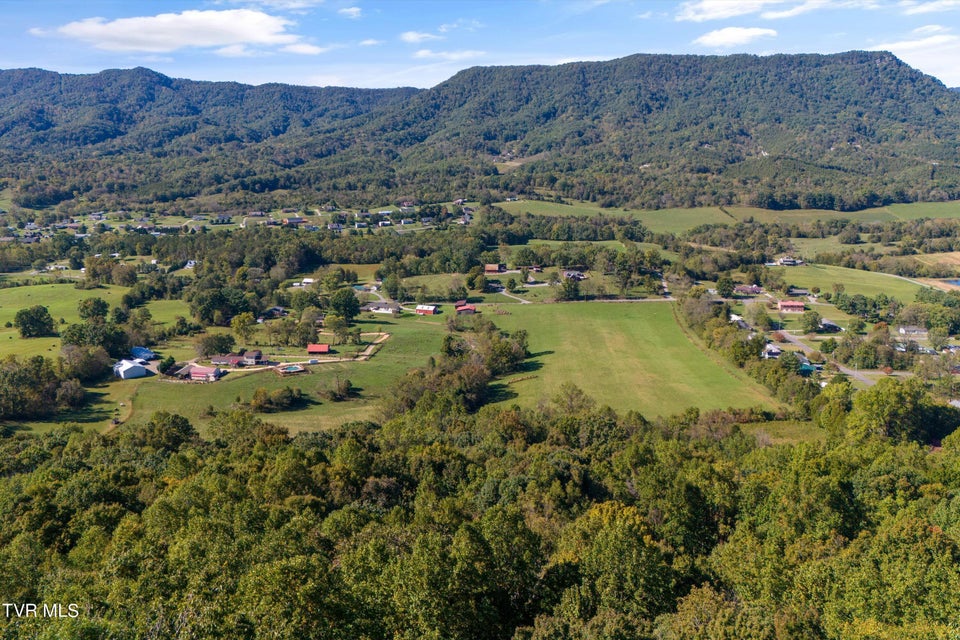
[(445, 521)]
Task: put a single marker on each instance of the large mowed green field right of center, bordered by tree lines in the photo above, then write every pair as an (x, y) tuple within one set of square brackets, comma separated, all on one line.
[(625, 355)]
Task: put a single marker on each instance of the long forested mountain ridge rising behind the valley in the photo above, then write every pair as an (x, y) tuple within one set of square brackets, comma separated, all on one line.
[(845, 131)]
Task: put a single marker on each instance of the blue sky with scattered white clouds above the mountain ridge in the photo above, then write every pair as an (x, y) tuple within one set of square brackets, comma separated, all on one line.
[(390, 43)]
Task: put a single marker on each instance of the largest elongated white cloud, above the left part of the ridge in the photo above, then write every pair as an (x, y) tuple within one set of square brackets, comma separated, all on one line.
[(228, 30)]
